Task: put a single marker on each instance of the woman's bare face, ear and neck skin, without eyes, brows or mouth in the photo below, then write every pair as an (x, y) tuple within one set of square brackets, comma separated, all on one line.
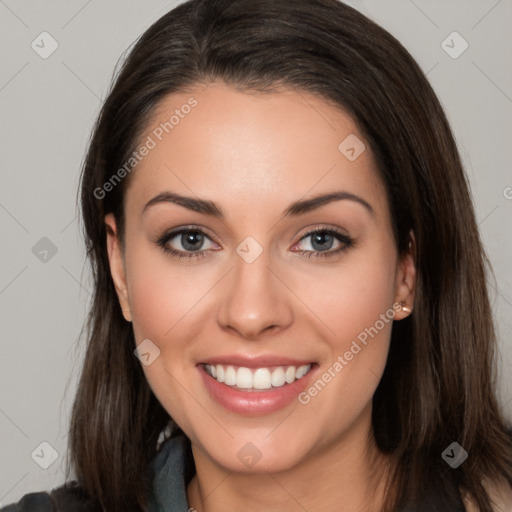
[(254, 154)]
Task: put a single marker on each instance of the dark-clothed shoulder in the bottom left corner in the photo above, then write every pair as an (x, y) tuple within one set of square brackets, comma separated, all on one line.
[(66, 498)]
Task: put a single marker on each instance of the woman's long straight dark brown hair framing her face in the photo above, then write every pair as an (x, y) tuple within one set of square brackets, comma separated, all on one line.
[(439, 383)]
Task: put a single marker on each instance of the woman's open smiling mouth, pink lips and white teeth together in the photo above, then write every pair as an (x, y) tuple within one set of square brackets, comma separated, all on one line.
[(255, 389)]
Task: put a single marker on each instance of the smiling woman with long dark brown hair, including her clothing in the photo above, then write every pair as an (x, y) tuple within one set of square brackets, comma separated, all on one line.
[(290, 307)]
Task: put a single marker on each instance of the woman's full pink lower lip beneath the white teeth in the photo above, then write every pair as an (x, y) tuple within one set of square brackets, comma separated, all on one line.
[(254, 402)]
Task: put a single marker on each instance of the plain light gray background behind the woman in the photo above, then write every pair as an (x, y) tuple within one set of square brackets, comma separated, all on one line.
[(47, 110)]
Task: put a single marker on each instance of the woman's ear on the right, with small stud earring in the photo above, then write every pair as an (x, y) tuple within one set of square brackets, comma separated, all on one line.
[(405, 283)]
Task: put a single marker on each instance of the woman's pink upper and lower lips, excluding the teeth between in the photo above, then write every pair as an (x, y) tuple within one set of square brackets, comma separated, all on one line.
[(255, 402)]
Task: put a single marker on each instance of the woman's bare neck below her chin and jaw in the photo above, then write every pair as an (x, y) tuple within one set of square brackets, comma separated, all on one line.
[(347, 474)]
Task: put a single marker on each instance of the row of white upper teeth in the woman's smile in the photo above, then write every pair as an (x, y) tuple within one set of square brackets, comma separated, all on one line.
[(259, 378)]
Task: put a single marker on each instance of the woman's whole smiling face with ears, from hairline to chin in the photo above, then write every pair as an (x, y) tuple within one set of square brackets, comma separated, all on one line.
[(255, 281)]
